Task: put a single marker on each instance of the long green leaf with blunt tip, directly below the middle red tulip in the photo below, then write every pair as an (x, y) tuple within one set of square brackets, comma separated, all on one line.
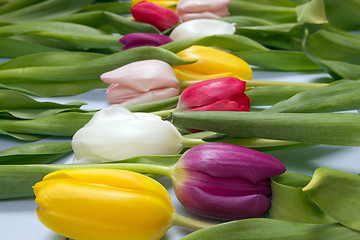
[(318, 128)]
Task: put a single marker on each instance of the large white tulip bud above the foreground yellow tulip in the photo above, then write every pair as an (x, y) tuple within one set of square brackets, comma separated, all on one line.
[(115, 133)]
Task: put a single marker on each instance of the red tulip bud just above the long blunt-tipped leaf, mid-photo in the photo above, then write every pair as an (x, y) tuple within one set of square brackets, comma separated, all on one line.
[(221, 94)]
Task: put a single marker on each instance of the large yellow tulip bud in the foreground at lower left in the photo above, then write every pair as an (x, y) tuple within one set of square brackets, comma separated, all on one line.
[(86, 204)]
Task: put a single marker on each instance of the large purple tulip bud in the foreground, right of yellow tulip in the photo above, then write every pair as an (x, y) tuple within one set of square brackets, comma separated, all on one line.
[(225, 181)]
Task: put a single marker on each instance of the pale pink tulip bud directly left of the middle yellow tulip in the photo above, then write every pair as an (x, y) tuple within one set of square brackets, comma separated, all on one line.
[(141, 82)]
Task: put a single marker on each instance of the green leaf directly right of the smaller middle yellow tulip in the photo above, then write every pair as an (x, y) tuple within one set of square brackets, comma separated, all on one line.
[(278, 60)]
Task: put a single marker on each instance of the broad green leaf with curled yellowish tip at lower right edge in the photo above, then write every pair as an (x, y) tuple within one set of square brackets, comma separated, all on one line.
[(337, 193)]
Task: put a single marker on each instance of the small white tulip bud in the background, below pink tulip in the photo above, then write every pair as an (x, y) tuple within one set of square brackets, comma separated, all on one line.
[(201, 28)]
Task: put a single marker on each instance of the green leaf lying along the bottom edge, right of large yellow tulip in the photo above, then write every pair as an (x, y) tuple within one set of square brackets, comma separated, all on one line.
[(270, 229)]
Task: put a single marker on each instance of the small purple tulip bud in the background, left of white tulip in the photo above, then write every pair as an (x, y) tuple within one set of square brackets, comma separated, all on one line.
[(133, 40)]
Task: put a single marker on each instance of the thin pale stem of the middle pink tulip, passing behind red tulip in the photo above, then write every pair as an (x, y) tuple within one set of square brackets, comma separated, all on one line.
[(261, 83)]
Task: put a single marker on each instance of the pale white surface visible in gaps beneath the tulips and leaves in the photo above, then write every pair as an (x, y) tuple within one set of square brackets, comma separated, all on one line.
[(18, 219)]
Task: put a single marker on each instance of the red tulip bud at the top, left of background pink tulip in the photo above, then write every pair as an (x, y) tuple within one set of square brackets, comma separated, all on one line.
[(155, 15)]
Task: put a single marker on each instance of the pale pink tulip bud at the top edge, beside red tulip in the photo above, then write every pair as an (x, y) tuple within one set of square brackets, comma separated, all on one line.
[(200, 9)]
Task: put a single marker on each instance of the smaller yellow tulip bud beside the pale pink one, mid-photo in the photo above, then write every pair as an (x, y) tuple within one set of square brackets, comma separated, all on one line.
[(211, 63)]
